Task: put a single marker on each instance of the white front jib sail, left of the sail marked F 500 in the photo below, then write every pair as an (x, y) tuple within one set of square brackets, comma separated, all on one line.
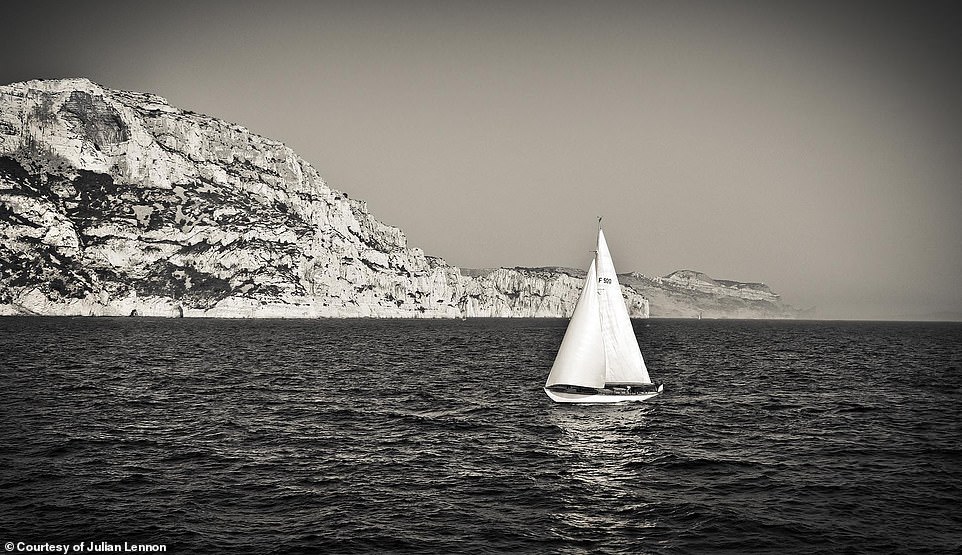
[(581, 358)]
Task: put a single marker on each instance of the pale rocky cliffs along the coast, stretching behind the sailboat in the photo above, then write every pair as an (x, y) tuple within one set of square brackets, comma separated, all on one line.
[(116, 203)]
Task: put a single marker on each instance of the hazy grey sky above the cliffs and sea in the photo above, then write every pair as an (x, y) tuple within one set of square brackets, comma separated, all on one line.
[(814, 147)]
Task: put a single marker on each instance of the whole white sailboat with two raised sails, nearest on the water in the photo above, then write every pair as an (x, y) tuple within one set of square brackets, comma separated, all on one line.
[(599, 360)]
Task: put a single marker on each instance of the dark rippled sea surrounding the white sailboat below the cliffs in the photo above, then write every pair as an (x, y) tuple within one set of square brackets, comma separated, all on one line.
[(393, 436)]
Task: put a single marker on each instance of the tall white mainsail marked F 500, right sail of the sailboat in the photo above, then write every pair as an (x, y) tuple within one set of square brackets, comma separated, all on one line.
[(623, 359)]
